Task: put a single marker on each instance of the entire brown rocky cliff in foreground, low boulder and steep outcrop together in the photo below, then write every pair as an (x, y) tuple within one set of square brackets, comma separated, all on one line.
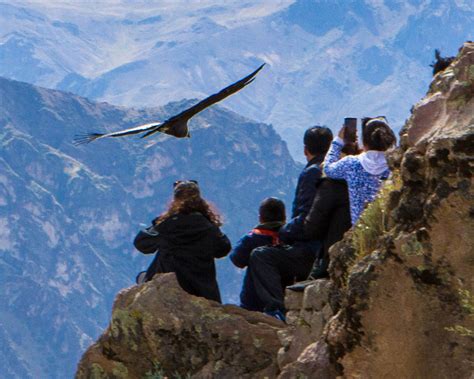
[(398, 303)]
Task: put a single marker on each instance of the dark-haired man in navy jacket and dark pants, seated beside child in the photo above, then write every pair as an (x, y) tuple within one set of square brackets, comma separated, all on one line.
[(273, 267)]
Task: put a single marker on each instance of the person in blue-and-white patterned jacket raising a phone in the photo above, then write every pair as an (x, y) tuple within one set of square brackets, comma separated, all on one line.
[(364, 172)]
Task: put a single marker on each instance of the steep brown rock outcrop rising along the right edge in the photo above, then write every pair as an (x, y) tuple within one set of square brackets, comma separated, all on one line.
[(404, 307)]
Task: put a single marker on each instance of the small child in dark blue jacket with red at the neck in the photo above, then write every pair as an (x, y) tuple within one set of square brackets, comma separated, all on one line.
[(272, 217)]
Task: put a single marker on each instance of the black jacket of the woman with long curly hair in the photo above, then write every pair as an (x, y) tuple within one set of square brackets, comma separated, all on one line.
[(187, 246)]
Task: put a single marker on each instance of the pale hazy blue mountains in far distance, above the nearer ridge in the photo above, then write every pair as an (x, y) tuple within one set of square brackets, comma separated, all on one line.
[(325, 60)]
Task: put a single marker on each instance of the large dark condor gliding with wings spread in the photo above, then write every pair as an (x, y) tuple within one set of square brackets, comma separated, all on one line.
[(177, 125)]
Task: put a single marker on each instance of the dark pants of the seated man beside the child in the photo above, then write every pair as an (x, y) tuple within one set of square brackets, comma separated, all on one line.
[(273, 268)]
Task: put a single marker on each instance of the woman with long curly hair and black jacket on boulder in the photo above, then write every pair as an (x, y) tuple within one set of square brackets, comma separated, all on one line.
[(188, 238)]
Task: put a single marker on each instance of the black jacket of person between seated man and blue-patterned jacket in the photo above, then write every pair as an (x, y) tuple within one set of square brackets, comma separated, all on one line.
[(329, 217)]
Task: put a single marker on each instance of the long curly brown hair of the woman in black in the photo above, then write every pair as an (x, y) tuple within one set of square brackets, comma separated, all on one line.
[(186, 200)]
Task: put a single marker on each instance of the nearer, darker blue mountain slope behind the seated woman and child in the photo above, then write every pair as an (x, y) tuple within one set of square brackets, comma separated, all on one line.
[(68, 215)]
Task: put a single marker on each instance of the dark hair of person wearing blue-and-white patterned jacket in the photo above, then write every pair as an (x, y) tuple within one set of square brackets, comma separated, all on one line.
[(376, 134)]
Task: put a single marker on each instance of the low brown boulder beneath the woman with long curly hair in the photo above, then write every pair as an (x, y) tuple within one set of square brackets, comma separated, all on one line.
[(158, 330)]
